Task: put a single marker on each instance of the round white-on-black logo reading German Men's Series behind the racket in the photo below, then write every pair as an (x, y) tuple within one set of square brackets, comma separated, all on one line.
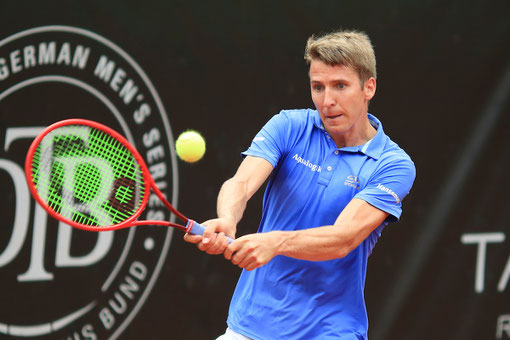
[(57, 281)]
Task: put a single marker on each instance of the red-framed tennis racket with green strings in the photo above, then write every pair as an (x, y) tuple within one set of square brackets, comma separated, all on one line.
[(90, 177)]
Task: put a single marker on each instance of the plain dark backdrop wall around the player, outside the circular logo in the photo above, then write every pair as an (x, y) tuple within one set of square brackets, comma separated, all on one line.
[(225, 67)]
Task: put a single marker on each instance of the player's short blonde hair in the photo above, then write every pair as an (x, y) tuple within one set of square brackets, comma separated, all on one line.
[(348, 48)]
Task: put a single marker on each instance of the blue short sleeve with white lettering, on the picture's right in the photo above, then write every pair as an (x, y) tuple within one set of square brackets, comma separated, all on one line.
[(388, 186)]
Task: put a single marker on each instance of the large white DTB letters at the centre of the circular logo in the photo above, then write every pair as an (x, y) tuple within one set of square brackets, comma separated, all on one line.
[(22, 206)]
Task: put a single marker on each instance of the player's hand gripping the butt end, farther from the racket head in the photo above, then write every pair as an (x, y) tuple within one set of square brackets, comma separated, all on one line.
[(252, 251)]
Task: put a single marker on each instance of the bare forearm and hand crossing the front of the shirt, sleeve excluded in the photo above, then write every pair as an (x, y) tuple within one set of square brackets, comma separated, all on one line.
[(352, 226)]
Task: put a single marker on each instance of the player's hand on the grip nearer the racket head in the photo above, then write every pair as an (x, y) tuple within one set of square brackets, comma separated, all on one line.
[(214, 241)]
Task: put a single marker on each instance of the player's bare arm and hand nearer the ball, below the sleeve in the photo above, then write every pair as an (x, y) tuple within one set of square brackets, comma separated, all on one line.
[(232, 199)]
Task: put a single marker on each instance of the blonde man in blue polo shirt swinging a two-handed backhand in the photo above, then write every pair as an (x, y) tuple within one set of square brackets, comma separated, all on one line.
[(336, 181)]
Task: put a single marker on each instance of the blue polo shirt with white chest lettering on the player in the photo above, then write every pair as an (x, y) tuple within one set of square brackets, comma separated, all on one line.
[(311, 183)]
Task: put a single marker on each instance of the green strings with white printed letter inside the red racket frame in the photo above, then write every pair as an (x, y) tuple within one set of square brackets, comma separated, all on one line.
[(87, 176)]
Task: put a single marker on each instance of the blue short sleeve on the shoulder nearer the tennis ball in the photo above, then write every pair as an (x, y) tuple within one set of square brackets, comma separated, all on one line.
[(271, 141)]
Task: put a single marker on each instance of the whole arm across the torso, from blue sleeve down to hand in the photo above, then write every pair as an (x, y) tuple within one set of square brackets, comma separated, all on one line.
[(353, 225)]
